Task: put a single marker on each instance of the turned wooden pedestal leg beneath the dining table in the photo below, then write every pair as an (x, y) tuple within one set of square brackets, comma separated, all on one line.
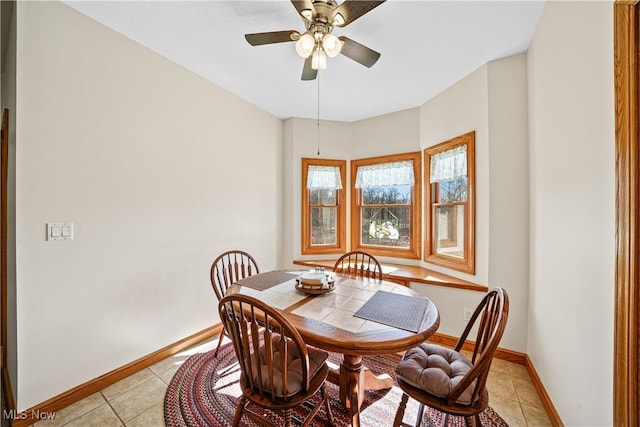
[(354, 380)]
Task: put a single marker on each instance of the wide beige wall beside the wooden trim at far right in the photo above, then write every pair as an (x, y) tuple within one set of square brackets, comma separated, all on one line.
[(571, 122)]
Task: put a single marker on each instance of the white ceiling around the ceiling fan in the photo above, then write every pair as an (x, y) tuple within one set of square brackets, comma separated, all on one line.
[(426, 46)]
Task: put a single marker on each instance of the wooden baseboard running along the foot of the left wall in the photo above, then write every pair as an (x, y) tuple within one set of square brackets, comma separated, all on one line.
[(65, 399)]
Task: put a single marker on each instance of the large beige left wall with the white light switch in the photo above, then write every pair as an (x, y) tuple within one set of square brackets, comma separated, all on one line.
[(158, 169)]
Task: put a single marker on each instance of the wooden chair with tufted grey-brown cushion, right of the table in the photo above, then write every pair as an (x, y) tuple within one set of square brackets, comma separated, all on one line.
[(446, 379)]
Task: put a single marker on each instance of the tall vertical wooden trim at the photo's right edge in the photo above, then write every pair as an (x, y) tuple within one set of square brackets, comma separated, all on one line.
[(627, 282)]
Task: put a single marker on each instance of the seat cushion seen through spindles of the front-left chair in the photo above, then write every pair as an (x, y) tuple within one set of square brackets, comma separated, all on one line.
[(317, 359)]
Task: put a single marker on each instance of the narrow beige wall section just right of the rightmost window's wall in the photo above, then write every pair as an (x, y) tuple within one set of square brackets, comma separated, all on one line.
[(508, 256)]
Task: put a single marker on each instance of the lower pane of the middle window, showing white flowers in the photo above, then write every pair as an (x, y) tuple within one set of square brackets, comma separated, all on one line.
[(389, 227)]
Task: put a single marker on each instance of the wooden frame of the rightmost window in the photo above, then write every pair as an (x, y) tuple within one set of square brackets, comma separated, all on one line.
[(467, 264)]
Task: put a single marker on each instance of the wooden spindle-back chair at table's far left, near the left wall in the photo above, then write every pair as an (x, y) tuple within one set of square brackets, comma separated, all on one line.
[(226, 269)]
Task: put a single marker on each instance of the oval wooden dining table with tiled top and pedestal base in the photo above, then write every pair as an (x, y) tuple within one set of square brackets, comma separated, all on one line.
[(354, 317)]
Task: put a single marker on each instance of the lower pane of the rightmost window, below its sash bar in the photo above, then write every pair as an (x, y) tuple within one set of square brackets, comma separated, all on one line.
[(449, 230)]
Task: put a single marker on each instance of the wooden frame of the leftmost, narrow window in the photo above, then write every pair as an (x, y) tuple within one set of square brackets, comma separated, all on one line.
[(341, 213)]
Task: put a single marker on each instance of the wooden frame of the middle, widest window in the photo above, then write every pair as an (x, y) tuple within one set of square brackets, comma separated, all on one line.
[(414, 250)]
